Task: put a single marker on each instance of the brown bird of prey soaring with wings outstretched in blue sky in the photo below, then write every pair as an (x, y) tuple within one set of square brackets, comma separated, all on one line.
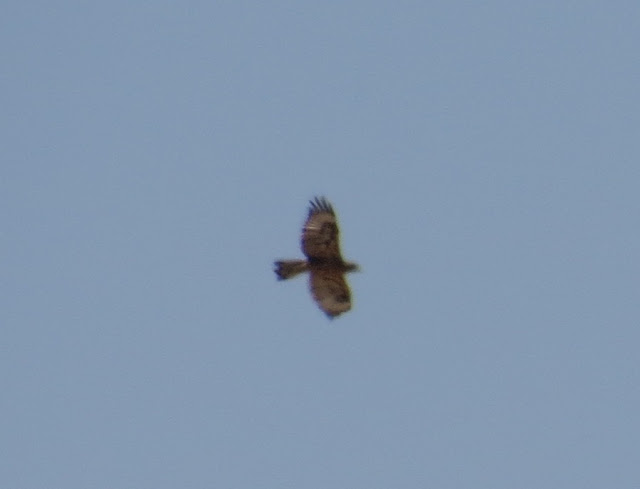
[(324, 263)]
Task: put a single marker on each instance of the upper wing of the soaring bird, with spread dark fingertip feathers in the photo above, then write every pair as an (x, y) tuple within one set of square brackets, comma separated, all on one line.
[(320, 232)]
